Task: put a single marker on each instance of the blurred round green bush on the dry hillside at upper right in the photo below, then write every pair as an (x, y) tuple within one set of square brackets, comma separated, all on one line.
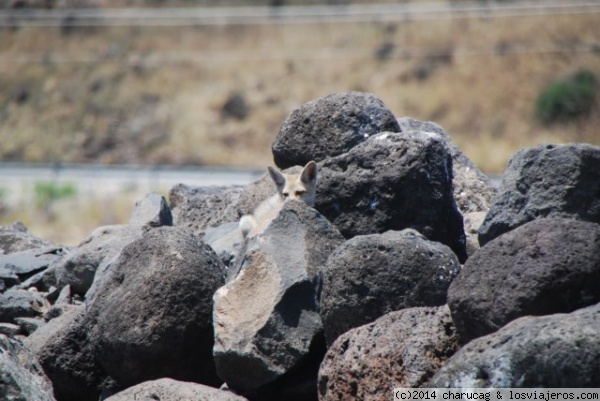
[(567, 100)]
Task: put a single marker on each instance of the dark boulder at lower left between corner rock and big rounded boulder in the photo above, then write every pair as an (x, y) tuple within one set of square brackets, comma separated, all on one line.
[(63, 349)]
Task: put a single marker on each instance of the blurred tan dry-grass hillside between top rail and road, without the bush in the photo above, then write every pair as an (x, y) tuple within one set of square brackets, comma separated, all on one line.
[(477, 77)]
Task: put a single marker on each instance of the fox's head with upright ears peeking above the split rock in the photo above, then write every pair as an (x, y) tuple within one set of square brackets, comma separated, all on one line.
[(301, 186)]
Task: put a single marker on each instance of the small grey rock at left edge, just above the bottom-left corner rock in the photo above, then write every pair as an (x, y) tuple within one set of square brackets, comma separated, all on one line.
[(16, 303)]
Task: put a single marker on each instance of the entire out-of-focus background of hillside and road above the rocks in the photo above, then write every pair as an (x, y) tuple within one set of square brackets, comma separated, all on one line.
[(102, 101)]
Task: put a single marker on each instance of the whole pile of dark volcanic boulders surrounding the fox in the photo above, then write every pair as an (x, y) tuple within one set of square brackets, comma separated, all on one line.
[(381, 285)]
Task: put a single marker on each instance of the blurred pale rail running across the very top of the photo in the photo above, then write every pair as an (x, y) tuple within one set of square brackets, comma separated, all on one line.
[(198, 16)]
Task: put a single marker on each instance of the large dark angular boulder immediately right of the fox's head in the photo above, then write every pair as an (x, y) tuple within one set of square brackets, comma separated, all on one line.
[(393, 181)]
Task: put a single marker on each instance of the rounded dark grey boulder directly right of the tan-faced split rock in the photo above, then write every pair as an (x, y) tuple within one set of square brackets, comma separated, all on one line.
[(371, 275)]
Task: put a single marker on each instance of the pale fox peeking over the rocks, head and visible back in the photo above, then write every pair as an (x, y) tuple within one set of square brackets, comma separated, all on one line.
[(301, 187)]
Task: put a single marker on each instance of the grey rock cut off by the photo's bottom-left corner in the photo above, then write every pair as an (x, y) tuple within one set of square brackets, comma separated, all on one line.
[(21, 376)]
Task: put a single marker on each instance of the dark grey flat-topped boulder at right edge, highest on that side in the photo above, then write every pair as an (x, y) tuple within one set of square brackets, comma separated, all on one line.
[(546, 181)]
